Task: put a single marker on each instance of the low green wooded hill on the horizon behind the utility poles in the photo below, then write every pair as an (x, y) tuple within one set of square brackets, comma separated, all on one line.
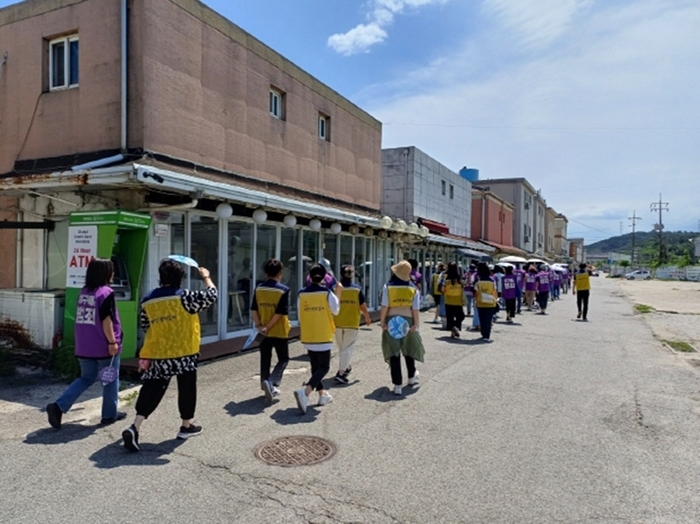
[(677, 247)]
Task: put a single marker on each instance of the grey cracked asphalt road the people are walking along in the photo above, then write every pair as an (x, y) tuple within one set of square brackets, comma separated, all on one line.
[(554, 421)]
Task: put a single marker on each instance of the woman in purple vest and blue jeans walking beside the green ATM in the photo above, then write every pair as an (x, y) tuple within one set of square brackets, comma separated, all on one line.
[(98, 343)]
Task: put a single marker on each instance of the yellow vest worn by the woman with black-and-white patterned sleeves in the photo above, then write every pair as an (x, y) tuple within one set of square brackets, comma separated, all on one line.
[(173, 332)]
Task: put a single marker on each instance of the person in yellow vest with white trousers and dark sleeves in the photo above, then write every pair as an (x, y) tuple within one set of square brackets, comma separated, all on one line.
[(347, 321)]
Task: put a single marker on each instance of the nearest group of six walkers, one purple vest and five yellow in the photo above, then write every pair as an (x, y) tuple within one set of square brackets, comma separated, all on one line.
[(329, 311)]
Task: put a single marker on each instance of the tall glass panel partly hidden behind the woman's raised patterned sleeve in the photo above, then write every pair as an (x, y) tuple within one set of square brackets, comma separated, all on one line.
[(205, 250)]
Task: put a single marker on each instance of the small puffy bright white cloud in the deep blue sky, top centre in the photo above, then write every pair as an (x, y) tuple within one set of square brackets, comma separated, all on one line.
[(362, 37)]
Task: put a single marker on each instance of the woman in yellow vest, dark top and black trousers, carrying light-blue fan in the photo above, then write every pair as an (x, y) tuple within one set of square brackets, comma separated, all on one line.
[(270, 313)]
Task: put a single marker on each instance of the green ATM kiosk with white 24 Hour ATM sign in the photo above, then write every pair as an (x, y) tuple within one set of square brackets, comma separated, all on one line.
[(121, 236)]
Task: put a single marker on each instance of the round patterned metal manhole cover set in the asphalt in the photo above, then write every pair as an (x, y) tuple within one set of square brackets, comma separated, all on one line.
[(295, 451)]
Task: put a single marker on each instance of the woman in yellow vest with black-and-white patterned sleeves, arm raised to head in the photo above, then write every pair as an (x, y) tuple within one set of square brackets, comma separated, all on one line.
[(171, 348)]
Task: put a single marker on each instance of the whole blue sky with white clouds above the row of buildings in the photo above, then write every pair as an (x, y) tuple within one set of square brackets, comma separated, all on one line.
[(595, 102)]
